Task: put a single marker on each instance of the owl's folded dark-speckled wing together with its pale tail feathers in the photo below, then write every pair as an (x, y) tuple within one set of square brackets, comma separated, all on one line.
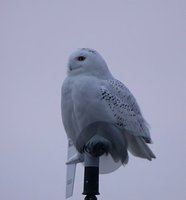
[(128, 117)]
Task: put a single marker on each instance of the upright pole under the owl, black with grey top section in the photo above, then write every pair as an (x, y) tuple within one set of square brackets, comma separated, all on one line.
[(91, 177)]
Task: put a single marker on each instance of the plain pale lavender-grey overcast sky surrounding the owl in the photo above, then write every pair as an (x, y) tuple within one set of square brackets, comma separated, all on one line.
[(144, 44)]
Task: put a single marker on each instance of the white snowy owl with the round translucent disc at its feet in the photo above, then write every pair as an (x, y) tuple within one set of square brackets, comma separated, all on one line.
[(99, 113)]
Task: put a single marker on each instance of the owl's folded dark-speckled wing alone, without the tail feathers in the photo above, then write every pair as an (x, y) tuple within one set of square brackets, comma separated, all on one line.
[(124, 108)]
